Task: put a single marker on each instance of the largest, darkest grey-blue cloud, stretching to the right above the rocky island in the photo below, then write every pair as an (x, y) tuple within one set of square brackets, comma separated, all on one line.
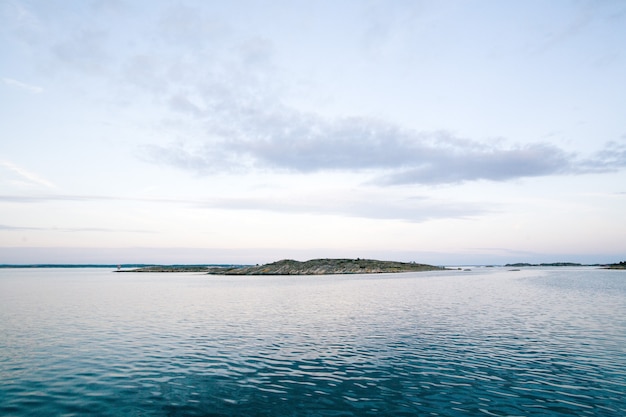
[(305, 143)]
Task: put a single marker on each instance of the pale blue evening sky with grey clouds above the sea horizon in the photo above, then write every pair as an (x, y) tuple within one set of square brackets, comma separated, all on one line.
[(442, 132)]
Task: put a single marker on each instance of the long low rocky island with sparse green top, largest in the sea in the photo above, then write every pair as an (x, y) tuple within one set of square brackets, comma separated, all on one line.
[(291, 267)]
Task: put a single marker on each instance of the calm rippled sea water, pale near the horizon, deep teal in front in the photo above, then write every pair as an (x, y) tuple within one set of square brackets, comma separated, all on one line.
[(90, 342)]
